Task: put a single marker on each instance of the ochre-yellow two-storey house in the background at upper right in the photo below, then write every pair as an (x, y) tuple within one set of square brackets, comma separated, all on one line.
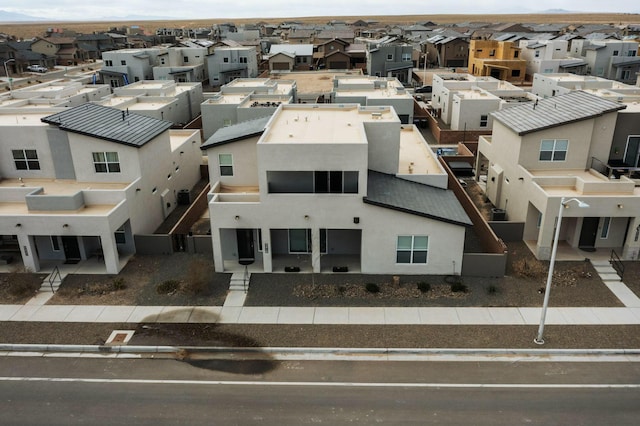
[(498, 59)]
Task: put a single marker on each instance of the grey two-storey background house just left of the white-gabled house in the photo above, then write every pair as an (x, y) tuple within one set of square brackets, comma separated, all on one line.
[(228, 63)]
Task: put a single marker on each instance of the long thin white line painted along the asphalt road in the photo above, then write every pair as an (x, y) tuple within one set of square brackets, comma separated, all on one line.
[(328, 384)]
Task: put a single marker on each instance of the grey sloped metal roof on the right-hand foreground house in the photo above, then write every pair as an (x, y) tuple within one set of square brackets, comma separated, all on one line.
[(555, 111)]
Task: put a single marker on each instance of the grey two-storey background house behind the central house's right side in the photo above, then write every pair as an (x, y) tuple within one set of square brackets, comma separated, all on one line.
[(390, 57)]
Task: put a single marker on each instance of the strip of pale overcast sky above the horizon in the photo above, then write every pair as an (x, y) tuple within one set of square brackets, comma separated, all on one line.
[(202, 9)]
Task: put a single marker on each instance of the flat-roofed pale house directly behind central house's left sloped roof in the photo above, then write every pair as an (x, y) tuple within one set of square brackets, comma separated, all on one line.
[(243, 100)]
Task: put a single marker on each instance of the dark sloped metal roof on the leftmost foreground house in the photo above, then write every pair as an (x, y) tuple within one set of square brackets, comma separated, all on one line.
[(109, 124)]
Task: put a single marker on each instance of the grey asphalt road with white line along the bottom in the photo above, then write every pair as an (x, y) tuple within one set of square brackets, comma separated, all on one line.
[(207, 391)]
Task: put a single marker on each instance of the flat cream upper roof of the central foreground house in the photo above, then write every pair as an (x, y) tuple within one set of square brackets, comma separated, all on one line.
[(323, 124)]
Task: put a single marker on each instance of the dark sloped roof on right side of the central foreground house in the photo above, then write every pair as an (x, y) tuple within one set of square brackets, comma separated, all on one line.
[(388, 191)]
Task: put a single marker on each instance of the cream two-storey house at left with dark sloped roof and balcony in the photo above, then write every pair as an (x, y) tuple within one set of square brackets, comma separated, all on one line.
[(81, 183)]
